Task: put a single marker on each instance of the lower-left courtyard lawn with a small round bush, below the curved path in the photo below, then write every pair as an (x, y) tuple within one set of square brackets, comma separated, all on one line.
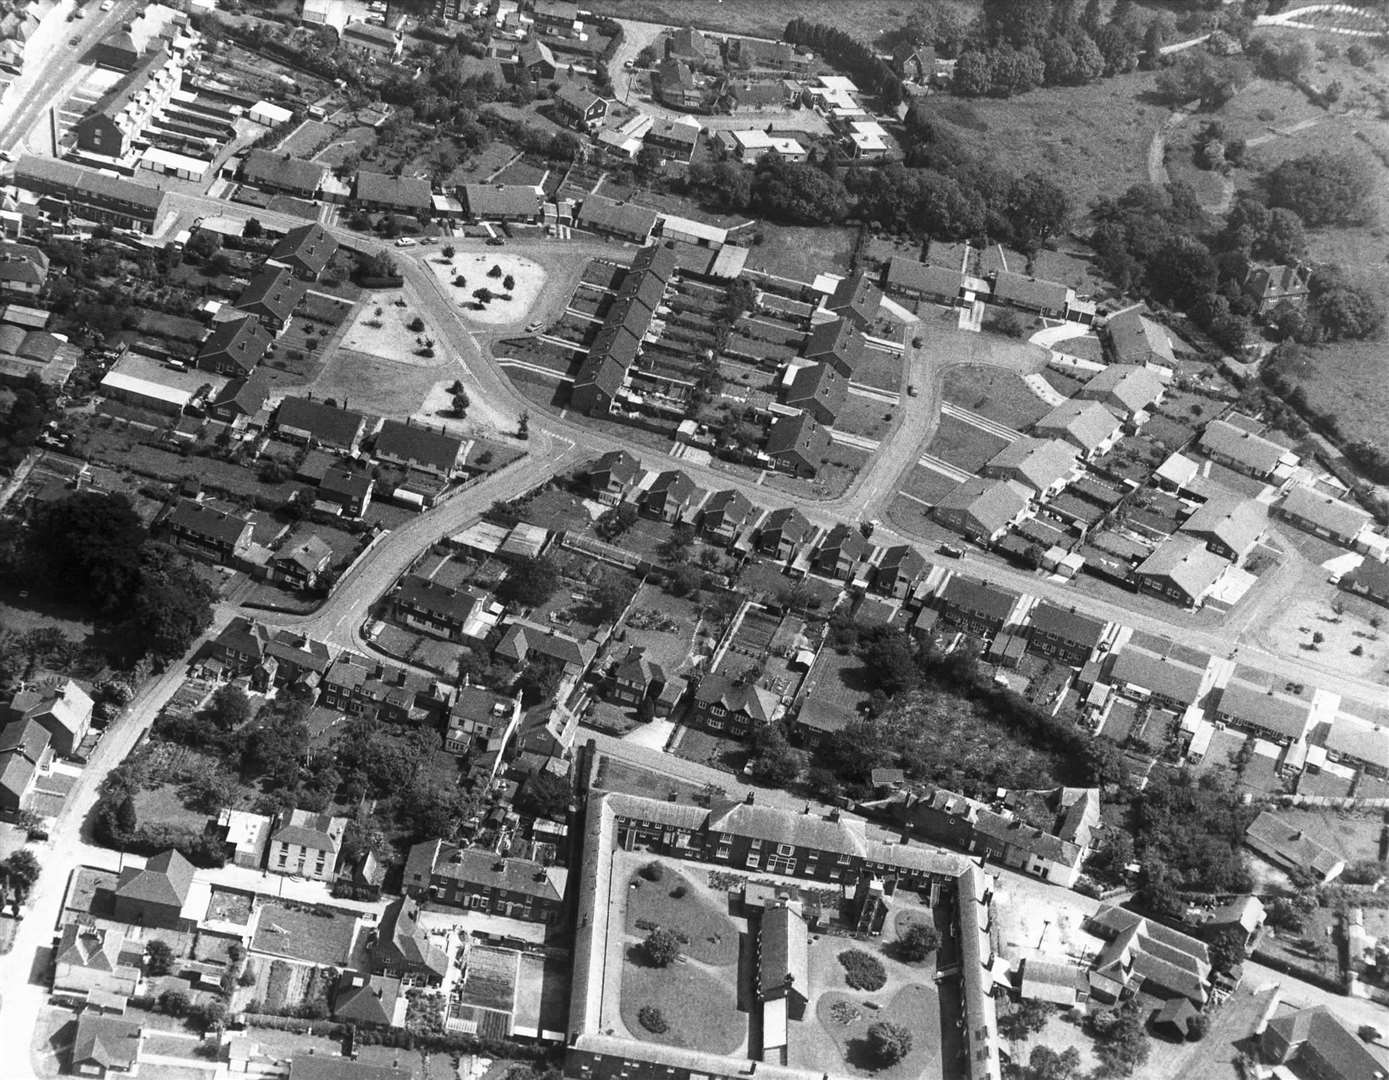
[(699, 1007)]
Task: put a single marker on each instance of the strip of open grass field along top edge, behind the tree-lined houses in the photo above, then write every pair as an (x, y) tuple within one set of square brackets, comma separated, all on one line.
[(767, 19)]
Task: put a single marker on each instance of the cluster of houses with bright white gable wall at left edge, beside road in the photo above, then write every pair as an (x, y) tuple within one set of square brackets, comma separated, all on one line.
[(37, 728)]
